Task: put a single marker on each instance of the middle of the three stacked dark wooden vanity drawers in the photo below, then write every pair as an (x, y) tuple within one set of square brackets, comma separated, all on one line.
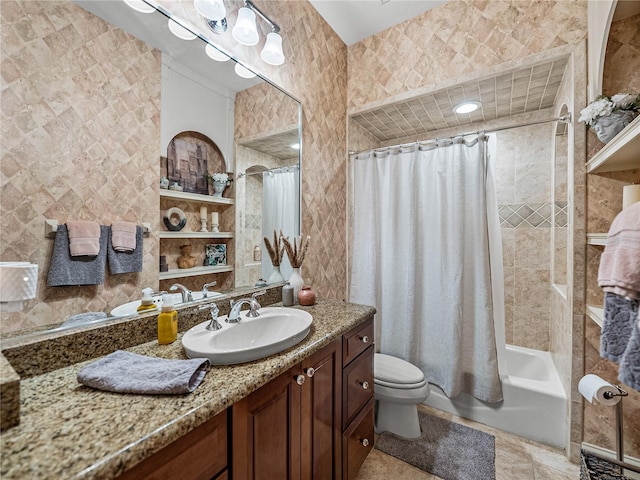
[(357, 385)]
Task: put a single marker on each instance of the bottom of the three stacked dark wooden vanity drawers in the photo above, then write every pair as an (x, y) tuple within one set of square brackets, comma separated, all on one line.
[(357, 442)]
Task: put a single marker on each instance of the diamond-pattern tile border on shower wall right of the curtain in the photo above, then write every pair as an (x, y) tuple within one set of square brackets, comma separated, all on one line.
[(532, 215)]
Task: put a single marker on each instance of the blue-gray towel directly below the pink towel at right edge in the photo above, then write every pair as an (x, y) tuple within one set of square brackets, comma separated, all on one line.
[(619, 318)]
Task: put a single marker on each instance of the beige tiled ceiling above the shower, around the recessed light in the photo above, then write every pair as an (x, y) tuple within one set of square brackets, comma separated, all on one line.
[(502, 95)]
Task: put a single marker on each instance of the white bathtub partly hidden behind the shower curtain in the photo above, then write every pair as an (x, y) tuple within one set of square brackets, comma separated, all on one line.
[(534, 403)]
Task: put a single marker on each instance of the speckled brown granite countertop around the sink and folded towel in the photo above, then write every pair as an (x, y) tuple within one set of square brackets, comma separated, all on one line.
[(68, 430)]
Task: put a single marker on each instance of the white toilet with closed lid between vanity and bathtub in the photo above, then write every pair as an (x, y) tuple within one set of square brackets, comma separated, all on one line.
[(399, 387)]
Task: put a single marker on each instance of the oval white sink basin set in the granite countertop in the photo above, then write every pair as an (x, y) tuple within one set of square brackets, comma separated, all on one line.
[(275, 330)]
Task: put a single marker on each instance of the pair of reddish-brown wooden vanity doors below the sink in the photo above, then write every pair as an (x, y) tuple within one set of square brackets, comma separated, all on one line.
[(290, 428)]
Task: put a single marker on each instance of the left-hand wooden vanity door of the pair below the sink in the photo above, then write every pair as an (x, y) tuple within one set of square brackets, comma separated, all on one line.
[(266, 431)]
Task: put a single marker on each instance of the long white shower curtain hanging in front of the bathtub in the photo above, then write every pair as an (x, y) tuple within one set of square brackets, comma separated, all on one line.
[(426, 253)]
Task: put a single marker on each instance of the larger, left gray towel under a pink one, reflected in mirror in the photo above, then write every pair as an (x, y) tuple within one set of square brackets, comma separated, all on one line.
[(66, 270)]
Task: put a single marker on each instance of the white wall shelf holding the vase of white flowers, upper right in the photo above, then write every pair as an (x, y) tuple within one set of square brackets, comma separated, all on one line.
[(621, 153)]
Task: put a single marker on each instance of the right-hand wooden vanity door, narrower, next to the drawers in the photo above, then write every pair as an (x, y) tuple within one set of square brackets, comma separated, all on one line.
[(321, 412)]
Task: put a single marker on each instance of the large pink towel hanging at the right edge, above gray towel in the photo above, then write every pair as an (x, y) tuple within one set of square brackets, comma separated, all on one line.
[(619, 270)]
